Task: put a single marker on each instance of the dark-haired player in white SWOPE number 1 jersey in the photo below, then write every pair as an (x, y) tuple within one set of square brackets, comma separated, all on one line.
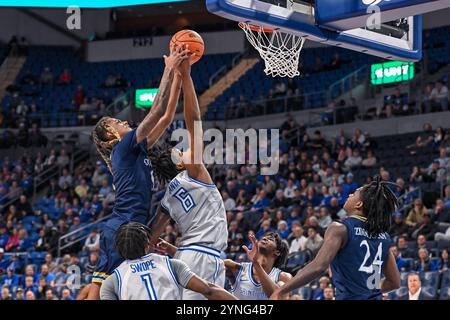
[(145, 275)]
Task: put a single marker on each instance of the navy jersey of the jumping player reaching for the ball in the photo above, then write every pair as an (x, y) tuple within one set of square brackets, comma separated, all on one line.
[(133, 181)]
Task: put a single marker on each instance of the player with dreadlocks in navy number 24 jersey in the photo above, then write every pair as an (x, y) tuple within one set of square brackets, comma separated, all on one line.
[(357, 248)]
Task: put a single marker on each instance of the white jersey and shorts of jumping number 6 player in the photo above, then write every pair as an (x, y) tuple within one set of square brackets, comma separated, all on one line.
[(198, 210)]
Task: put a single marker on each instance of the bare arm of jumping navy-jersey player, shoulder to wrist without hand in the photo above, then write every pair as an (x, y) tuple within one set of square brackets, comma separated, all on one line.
[(159, 105)]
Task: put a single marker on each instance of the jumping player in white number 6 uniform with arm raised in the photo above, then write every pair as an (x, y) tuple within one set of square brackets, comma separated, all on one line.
[(192, 200)]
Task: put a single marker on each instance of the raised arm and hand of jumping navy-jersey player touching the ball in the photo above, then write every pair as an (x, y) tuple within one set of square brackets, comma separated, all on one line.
[(177, 54)]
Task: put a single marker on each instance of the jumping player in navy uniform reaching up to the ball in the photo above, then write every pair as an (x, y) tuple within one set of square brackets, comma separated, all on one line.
[(125, 152)]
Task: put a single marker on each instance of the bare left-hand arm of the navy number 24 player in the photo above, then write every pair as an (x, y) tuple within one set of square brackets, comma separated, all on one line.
[(335, 238)]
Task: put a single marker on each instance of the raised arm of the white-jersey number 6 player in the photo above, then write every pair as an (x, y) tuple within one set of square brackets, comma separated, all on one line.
[(193, 158)]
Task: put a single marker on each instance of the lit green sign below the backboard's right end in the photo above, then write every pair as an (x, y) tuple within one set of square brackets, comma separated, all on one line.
[(389, 72)]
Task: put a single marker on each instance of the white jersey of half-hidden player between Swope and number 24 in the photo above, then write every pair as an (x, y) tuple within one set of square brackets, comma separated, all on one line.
[(246, 287)]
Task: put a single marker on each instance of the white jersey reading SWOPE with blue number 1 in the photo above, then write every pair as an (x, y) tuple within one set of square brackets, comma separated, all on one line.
[(148, 278)]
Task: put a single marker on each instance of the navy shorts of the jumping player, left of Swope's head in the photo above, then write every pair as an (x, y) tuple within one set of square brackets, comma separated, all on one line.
[(109, 257)]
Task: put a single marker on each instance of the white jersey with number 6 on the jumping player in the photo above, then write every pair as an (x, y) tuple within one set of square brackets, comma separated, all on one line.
[(197, 208)]
